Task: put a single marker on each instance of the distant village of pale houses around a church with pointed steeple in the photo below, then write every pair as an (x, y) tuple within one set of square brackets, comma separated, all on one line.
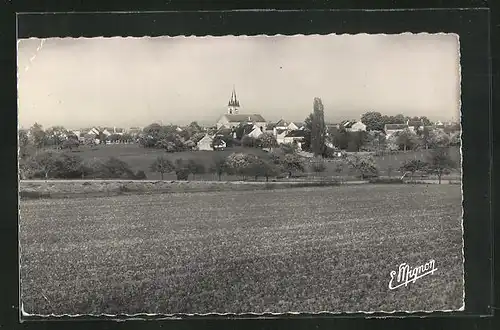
[(237, 125)]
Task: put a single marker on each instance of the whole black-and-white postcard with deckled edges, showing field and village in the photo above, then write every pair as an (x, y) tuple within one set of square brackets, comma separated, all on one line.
[(267, 174)]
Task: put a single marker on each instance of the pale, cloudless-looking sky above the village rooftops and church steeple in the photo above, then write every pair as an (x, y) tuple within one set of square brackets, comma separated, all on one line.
[(124, 82)]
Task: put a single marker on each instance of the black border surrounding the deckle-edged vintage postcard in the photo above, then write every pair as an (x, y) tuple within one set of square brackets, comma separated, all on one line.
[(472, 25)]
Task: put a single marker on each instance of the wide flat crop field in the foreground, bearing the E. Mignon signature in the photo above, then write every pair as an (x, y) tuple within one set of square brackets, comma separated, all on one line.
[(299, 250)]
